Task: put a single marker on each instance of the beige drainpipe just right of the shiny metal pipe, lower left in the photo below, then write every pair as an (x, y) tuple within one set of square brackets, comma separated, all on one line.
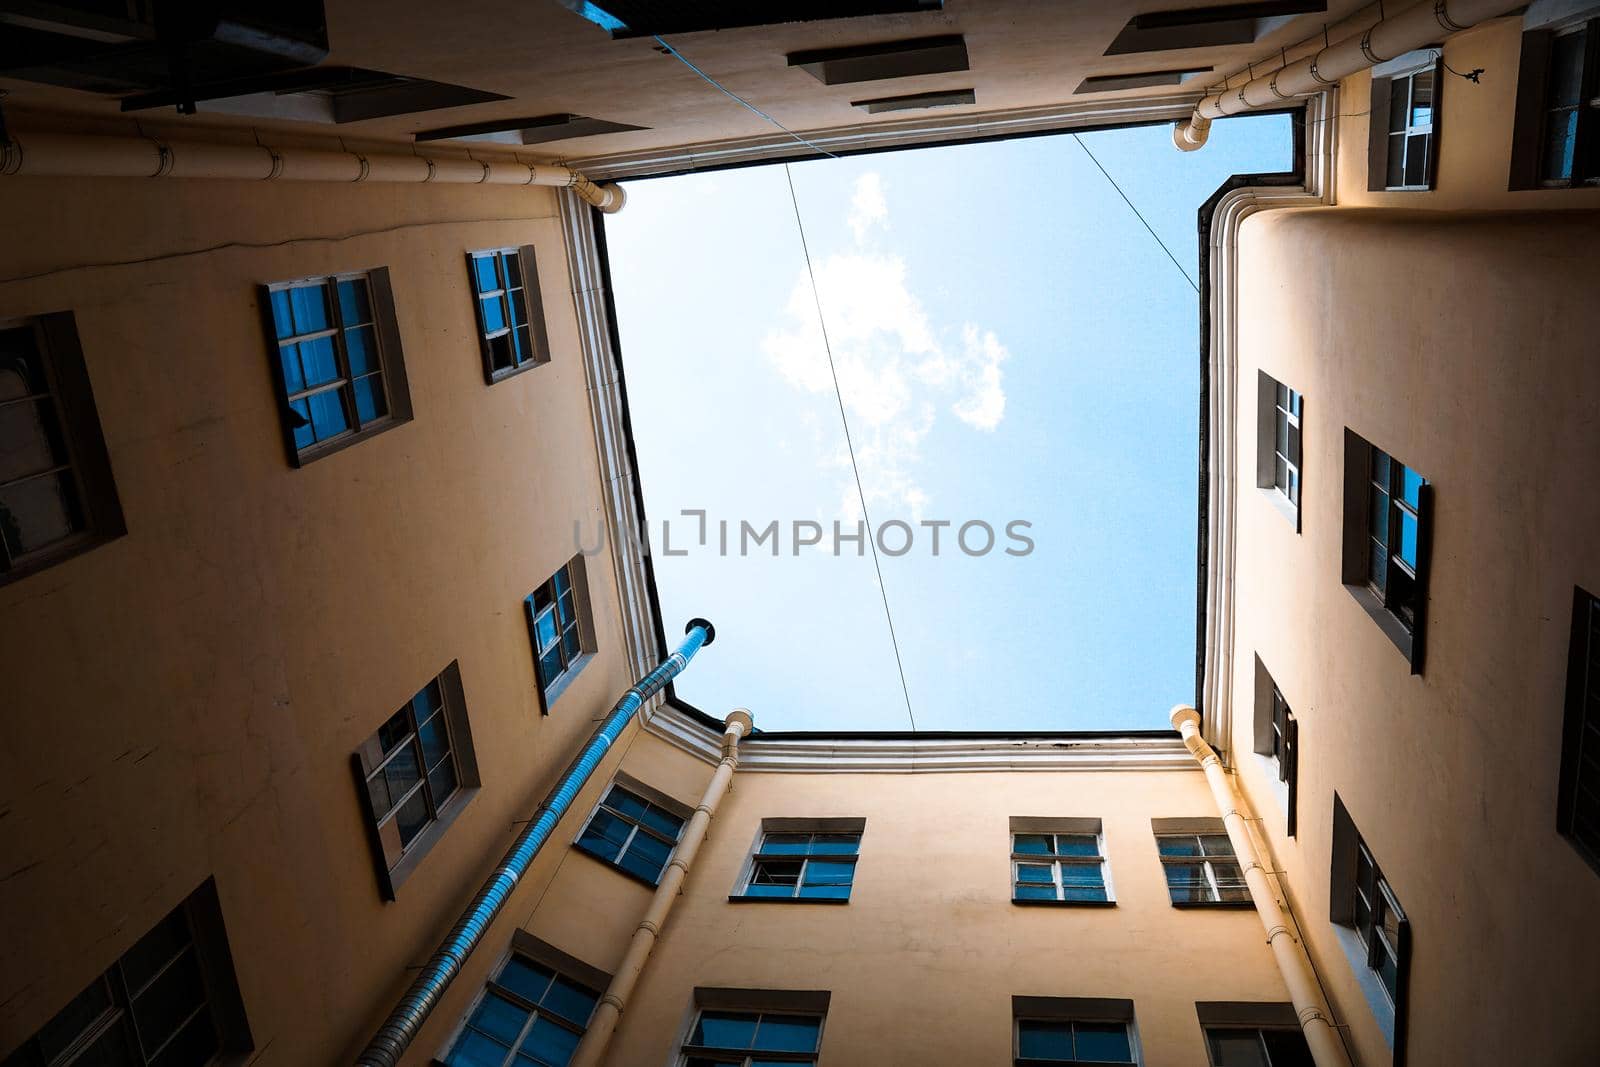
[(591, 1050)]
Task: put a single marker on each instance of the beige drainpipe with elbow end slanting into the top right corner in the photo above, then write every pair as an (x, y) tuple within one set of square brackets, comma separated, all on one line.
[(1415, 28)]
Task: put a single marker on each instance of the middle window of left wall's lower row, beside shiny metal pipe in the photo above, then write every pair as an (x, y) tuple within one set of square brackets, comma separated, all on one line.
[(415, 775)]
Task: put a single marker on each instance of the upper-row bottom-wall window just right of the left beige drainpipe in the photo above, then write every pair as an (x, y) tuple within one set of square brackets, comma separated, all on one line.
[(799, 861)]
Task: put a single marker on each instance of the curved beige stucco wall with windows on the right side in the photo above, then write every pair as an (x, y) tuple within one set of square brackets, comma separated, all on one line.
[(1465, 346)]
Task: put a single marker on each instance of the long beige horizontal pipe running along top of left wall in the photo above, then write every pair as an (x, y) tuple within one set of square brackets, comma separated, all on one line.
[(68, 156)]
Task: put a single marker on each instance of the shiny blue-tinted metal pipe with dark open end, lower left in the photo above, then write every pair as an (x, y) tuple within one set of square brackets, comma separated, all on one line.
[(407, 1020)]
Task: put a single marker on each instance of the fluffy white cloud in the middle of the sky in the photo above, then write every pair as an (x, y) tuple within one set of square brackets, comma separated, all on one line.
[(897, 369)]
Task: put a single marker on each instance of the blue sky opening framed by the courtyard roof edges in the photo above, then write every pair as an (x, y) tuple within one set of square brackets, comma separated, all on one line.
[(1012, 346)]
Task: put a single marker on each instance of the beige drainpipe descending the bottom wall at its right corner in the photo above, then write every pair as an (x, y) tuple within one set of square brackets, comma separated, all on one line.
[(1327, 1047)]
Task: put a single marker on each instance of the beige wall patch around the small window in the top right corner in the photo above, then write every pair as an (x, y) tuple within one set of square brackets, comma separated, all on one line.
[(1473, 134)]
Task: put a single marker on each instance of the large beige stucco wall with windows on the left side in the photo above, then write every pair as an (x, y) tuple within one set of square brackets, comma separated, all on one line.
[(185, 701)]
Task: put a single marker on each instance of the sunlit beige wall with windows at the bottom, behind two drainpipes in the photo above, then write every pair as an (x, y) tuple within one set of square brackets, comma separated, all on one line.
[(924, 961)]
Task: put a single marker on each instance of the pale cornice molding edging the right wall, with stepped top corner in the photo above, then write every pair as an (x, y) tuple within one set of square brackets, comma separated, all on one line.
[(1223, 415)]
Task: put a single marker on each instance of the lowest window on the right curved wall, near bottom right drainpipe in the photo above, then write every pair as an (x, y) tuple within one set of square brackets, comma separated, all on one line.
[(1377, 933)]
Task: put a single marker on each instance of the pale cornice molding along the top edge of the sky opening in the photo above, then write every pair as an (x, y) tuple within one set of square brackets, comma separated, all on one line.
[(924, 130)]
